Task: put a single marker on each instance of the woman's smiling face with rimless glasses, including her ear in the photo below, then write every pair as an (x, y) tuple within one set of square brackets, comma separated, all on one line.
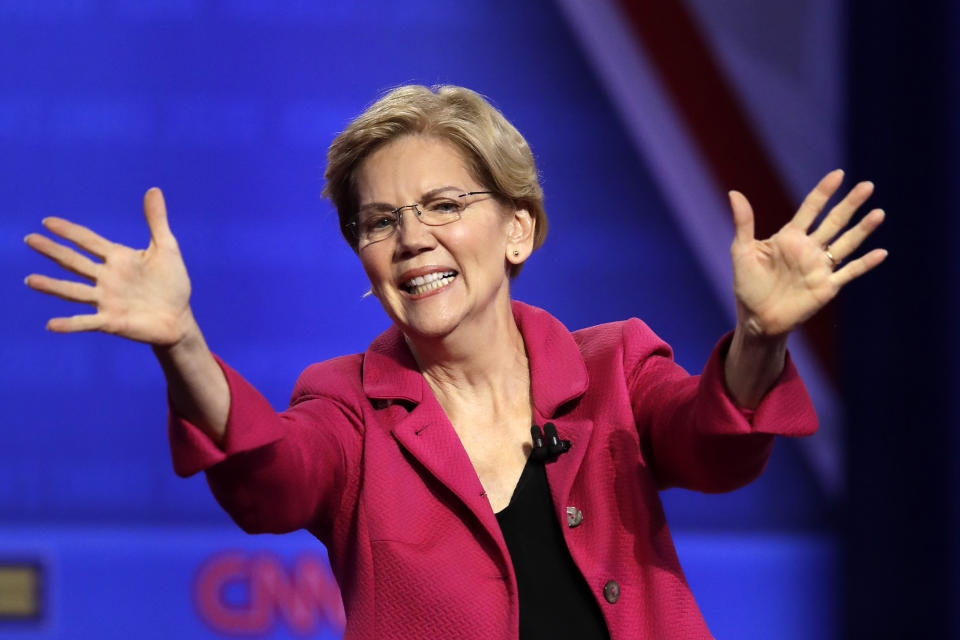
[(463, 264)]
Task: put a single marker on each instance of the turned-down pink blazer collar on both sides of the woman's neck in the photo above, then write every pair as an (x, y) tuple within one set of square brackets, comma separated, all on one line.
[(557, 371)]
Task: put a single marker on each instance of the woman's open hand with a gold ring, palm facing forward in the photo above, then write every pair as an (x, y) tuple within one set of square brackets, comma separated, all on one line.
[(783, 280)]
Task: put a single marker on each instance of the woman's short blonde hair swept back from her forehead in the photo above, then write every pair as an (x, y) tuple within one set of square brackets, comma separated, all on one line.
[(494, 151)]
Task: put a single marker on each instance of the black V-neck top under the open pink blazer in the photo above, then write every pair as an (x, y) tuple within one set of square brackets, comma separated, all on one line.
[(555, 600)]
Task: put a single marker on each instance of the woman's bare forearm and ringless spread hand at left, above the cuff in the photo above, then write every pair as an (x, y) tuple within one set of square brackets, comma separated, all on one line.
[(143, 295)]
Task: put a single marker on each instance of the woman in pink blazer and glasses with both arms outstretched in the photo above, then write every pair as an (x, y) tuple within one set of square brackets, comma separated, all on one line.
[(414, 462)]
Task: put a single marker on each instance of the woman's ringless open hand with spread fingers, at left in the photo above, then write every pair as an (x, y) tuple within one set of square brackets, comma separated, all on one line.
[(141, 294)]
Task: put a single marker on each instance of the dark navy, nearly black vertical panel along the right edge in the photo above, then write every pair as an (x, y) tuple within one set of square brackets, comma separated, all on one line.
[(900, 326)]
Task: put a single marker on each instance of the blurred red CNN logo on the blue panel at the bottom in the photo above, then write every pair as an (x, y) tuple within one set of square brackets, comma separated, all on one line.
[(244, 593)]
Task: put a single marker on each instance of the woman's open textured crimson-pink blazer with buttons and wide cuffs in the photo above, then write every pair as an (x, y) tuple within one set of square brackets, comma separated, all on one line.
[(366, 460)]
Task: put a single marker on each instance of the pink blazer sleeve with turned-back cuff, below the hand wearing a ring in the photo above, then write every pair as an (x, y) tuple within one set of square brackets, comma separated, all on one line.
[(692, 432)]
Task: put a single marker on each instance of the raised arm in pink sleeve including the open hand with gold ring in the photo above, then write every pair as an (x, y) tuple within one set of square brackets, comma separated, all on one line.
[(714, 432)]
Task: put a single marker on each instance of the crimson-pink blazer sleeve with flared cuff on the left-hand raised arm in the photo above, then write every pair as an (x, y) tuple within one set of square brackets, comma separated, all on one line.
[(277, 471)]
